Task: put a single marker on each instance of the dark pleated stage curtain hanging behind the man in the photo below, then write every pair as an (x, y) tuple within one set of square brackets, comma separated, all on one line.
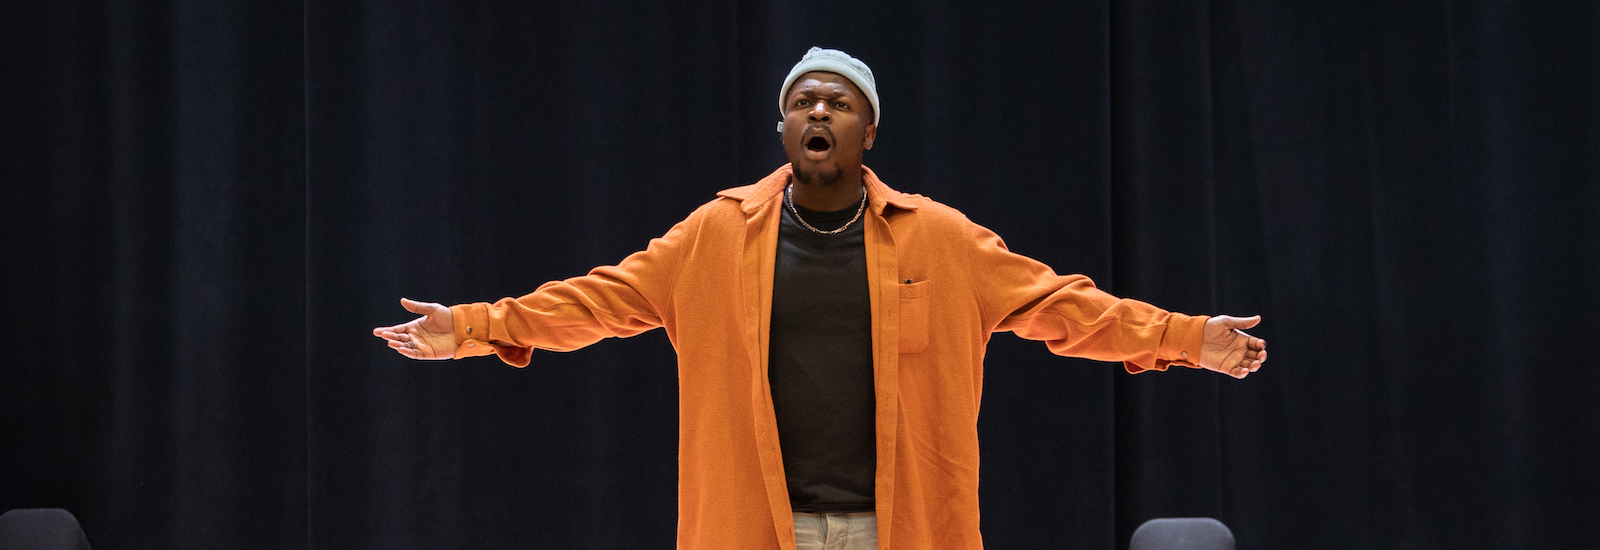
[(207, 207)]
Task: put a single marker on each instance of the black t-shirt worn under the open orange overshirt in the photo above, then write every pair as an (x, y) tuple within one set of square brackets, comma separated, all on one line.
[(820, 364)]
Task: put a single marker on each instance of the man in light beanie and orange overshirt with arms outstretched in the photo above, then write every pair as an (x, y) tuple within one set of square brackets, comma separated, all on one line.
[(831, 338)]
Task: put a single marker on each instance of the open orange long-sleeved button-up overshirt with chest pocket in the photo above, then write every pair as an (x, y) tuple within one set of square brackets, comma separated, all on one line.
[(940, 287)]
